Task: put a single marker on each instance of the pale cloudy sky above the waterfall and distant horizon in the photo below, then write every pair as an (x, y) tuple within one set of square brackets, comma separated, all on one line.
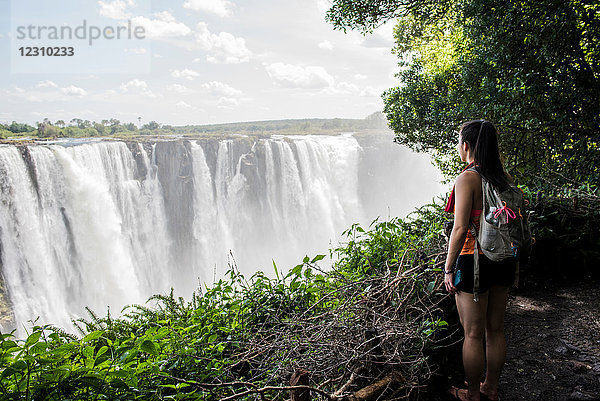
[(197, 62)]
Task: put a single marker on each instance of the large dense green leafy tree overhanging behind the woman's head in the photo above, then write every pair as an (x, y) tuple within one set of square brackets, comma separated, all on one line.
[(533, 68)]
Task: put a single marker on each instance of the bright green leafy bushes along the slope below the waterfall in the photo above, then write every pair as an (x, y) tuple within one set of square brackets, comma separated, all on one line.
[(172, 349)]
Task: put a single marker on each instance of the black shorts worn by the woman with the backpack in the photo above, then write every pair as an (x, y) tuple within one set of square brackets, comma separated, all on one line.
[(490, 273)]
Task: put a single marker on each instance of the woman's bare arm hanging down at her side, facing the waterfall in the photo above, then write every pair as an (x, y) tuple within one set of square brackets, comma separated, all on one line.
[(464, 190)]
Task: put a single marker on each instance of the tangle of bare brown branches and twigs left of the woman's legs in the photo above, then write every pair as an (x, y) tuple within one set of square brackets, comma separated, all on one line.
[(355, 333)]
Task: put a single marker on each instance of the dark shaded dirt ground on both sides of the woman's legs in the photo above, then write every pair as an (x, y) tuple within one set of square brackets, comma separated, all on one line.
[(553, 344)]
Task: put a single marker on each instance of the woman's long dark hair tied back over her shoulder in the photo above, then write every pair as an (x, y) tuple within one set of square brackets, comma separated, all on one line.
[(482, 137)]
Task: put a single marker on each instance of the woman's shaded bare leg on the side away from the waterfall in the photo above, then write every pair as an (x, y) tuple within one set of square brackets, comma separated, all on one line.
[(495, 340)]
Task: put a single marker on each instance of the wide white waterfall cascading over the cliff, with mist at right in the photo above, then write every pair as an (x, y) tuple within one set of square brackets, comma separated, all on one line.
[(110, 223)]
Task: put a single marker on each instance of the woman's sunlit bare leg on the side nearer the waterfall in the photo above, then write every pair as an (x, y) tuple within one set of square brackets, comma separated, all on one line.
[(473, 319)]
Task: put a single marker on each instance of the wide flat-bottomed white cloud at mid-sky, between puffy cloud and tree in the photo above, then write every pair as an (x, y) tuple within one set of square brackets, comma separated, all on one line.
[(299, 76)]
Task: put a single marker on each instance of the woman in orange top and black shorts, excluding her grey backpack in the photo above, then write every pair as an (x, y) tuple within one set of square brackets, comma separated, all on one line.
[(477, 146)]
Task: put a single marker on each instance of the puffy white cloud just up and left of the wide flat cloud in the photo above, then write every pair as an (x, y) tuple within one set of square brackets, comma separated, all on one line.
[(223, 48)]
